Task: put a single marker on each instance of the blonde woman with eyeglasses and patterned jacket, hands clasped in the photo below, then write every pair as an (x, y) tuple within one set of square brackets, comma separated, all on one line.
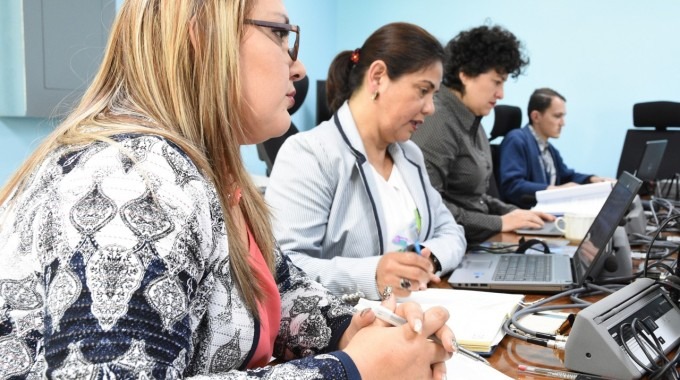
[(134, 245)]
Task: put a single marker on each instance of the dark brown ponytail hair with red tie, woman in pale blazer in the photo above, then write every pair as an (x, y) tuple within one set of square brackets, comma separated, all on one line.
[(405, 48)]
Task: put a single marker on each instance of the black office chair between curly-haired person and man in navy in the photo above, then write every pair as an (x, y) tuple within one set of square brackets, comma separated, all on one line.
[(506, 119)]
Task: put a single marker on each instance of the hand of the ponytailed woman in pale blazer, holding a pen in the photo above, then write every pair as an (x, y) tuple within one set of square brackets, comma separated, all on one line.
[(395, 266)]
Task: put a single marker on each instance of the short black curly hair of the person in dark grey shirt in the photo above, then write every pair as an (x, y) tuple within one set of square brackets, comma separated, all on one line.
[(478, 50)]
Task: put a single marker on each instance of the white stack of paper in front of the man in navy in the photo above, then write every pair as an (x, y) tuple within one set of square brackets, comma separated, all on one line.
[(582, 199)]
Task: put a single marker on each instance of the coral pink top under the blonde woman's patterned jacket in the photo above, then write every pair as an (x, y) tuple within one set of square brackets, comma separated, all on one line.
[(270, 309)]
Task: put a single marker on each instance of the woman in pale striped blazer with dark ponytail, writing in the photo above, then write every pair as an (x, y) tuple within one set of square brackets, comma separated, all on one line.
[(351, 200)]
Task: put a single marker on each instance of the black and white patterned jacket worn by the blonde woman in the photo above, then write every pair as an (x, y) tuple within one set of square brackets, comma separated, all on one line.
[(116, 265)]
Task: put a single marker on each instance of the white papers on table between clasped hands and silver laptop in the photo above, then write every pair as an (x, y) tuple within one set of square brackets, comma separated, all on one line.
[(475, 317)]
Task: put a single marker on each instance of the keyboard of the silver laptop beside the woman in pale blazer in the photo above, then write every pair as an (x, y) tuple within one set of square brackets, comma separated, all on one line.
[(523, 268)]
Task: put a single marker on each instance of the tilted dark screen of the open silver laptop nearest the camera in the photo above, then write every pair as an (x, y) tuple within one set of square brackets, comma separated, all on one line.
[(588, 259)]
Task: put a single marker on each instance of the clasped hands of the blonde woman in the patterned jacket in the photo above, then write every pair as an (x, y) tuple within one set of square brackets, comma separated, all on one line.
[(381, 351)]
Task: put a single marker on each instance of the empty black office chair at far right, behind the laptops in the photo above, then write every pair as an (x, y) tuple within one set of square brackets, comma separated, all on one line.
[(652, 120)]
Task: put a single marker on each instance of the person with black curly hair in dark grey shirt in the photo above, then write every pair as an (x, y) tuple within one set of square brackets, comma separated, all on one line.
[(457, 153)]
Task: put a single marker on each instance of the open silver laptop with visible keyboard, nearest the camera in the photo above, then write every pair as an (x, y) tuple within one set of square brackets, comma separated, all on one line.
[(488, 271)]
